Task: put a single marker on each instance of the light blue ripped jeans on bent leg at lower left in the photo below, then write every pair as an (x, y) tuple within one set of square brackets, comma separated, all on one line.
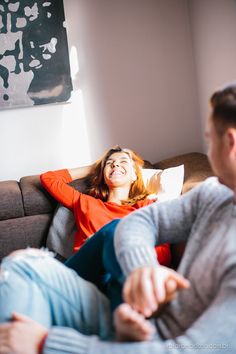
[(54, 295)]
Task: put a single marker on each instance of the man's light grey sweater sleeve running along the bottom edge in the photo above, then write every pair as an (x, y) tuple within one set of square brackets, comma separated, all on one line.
[(213, 331)]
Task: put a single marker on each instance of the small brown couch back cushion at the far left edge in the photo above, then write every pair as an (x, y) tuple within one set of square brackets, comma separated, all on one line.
[(11, 205)]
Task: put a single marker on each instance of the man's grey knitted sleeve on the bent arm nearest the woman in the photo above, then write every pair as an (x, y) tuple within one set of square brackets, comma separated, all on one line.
[(162, 222)]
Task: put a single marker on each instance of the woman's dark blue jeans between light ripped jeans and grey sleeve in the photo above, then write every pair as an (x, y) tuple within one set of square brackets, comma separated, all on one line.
[(96, 262)]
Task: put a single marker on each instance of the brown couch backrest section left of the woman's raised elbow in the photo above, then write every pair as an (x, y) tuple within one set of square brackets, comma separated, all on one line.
[(26, 211)]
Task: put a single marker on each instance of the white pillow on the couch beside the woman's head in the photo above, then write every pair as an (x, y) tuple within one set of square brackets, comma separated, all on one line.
[(164, 184)]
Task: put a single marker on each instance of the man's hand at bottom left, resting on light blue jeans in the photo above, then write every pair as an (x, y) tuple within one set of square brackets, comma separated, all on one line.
[(21, 336)]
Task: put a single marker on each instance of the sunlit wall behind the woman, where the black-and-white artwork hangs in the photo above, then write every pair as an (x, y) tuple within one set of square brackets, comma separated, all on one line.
[(134, 79)]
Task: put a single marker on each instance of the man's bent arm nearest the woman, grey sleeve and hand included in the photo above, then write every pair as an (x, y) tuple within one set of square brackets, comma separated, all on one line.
[(146, 286)]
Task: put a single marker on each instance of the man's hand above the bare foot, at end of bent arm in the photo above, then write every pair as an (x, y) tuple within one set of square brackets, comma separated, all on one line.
[(147, 288)]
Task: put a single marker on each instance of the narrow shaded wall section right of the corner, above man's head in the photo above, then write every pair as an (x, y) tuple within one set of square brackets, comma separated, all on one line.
[(214, 32)]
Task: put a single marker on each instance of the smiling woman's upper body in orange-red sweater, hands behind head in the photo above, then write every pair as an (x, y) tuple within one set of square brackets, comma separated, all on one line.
[(115, 189)]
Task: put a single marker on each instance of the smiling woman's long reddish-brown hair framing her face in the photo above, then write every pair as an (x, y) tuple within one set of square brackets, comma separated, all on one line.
[(98, 188)]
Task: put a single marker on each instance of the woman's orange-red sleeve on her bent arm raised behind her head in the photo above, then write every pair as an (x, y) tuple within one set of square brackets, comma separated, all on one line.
[(56, 183)]
